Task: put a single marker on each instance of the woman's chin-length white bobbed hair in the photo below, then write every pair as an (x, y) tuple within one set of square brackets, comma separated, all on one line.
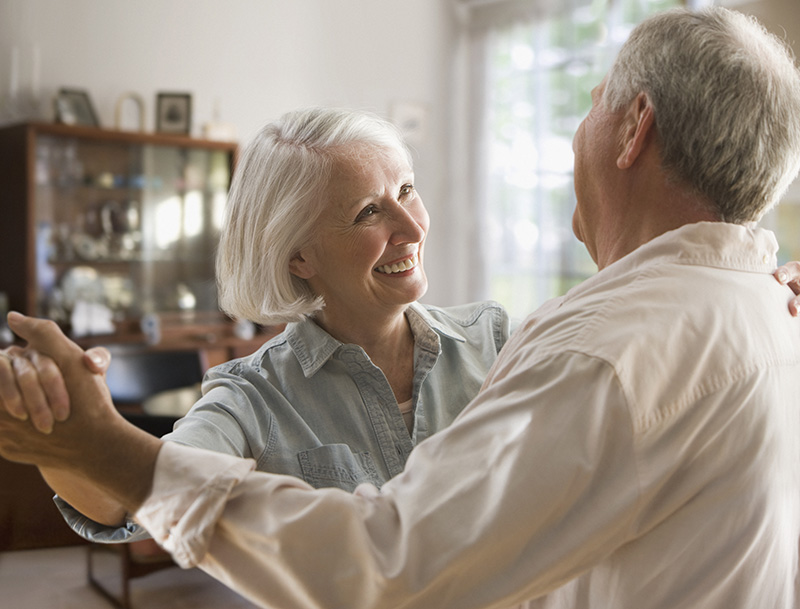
[(275, 199)]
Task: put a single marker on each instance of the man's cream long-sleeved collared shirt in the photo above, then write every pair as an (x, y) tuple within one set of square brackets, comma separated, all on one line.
[(635, 446)]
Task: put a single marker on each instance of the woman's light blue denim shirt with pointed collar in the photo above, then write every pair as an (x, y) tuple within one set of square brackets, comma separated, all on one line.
[(309, 406)]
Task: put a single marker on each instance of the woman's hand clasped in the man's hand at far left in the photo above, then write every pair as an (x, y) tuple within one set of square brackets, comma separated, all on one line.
[(32, 386)]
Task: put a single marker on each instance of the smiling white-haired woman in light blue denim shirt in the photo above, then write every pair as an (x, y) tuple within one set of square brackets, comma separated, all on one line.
[(326, 232)]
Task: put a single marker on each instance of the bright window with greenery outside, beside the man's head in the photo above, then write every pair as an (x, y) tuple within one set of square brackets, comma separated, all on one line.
[(539, 75)]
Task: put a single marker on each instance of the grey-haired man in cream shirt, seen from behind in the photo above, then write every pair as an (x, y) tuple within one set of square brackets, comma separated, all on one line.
[(635, 444)]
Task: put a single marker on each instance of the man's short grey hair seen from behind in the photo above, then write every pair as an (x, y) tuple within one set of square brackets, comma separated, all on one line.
[(726, 95)]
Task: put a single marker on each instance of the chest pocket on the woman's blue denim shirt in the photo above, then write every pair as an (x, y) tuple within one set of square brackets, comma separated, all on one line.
[(338, 466)]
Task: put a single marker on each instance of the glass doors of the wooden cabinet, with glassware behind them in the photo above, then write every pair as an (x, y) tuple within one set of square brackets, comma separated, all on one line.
[(125, 229)]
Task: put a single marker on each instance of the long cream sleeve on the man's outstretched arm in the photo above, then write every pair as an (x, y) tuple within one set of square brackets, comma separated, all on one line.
[(499, 508)]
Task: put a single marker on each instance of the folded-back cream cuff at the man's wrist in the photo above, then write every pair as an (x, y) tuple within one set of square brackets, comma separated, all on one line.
[(190, 489)]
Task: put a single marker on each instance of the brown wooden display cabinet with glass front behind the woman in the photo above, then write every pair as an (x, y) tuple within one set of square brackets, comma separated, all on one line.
[(109, 232)]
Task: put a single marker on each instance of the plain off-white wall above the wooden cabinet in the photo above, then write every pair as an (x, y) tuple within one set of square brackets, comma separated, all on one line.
[(259, 58)]
